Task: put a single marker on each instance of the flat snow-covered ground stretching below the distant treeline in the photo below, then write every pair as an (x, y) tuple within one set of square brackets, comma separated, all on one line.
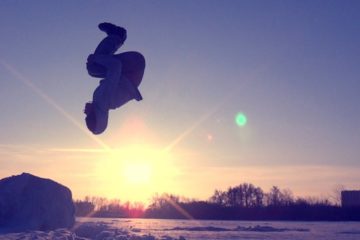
[(151, 229)]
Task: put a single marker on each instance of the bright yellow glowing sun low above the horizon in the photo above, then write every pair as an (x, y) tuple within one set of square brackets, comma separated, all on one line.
[(135, 173)]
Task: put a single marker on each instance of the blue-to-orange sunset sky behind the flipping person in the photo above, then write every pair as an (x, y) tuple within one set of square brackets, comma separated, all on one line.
[(292, 67)]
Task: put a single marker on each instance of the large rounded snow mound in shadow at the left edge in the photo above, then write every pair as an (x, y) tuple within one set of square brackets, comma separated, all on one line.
[(28, 202)]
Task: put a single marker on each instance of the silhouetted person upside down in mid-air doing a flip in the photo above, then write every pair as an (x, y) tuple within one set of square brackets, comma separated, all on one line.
[(122, 75)]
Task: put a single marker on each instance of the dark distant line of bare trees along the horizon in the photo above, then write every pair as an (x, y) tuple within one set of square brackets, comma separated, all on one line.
[(242, 202)]
